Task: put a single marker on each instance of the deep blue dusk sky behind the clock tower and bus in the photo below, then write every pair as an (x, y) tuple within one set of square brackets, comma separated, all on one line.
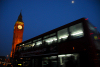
[(40, 16)]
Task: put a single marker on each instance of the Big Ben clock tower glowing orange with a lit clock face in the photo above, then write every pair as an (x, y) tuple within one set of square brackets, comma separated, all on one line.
[(18, 33)]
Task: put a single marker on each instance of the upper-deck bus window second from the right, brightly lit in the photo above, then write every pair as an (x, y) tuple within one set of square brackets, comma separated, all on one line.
[(63, 34)]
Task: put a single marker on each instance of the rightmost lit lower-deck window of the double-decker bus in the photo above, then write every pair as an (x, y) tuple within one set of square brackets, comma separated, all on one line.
[(68, 60)]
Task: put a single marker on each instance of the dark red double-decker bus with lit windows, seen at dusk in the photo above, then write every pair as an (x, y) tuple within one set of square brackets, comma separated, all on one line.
[(76, 44)]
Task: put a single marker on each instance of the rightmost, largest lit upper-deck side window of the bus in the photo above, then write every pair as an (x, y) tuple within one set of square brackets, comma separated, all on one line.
[(76, 31)]
